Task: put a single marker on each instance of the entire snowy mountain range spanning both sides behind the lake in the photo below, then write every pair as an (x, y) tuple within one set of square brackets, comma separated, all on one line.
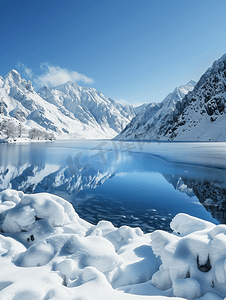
[(192, 112)]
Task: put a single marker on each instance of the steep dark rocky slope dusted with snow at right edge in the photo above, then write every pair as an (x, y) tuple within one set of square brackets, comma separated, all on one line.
[(201, 114)]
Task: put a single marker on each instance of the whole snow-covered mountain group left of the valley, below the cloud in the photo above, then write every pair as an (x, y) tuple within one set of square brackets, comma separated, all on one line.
[(69, 111)]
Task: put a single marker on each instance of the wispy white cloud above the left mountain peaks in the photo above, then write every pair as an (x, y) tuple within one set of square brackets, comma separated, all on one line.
[(54, 75)]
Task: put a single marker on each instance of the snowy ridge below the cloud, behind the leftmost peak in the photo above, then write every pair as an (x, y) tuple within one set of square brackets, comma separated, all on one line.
[(89, 106)]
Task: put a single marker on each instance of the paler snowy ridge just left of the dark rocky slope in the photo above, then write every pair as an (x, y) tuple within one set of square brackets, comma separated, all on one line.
[(147, 124)]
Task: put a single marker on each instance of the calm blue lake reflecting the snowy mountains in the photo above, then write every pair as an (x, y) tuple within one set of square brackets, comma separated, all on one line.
[(141, 184)]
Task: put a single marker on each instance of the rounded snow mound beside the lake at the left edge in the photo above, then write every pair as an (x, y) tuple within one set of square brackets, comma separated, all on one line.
[(34, 217)]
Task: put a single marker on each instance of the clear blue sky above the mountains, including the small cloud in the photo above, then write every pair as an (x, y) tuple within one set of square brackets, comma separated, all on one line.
[(131, 50)]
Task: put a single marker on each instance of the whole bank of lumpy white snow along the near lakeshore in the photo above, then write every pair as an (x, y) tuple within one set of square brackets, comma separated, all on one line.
[(48, 252)]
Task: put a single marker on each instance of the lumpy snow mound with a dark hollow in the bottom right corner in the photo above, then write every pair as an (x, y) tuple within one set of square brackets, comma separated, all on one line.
[(193, 258)]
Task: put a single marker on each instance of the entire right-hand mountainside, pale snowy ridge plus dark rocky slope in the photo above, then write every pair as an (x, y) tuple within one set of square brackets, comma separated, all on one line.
[(193, 112)]
